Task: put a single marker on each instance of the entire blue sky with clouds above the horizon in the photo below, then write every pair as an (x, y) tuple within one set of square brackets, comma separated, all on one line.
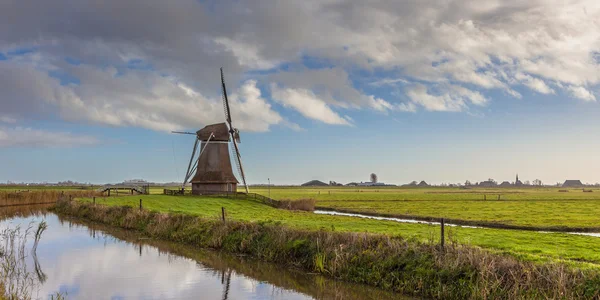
[(441, 91)]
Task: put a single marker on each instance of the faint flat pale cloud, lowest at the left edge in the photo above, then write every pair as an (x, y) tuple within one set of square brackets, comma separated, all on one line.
[(28, 137)]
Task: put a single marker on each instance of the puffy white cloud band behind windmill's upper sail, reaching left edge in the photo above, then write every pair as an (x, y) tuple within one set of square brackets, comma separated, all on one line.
[(136, 98)]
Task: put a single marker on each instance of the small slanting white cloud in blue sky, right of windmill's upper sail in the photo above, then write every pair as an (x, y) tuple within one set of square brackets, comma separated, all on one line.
[(307, 104)]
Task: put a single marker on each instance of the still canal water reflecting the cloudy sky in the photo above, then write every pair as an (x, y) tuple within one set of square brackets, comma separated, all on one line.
[(88, 261)]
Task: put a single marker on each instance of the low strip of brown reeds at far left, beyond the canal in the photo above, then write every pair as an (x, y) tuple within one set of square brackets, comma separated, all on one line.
[(41, 197)]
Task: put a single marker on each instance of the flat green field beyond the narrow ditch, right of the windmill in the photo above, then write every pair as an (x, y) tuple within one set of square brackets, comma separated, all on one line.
[(536, 208)]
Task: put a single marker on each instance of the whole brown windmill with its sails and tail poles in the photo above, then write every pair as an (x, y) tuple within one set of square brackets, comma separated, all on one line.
[(211, 170)]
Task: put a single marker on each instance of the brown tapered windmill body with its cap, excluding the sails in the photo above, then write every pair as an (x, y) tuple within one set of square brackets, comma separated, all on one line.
[(214, 173)]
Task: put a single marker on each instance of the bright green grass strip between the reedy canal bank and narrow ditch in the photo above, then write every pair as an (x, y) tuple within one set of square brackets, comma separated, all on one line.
[(525, 244)]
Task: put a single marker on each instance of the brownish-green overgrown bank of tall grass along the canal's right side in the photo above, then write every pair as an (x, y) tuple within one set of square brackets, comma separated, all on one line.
[(403, 265)]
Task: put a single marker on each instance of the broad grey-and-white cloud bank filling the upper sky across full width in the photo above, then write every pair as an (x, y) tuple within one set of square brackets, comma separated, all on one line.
[(445, 54)]
